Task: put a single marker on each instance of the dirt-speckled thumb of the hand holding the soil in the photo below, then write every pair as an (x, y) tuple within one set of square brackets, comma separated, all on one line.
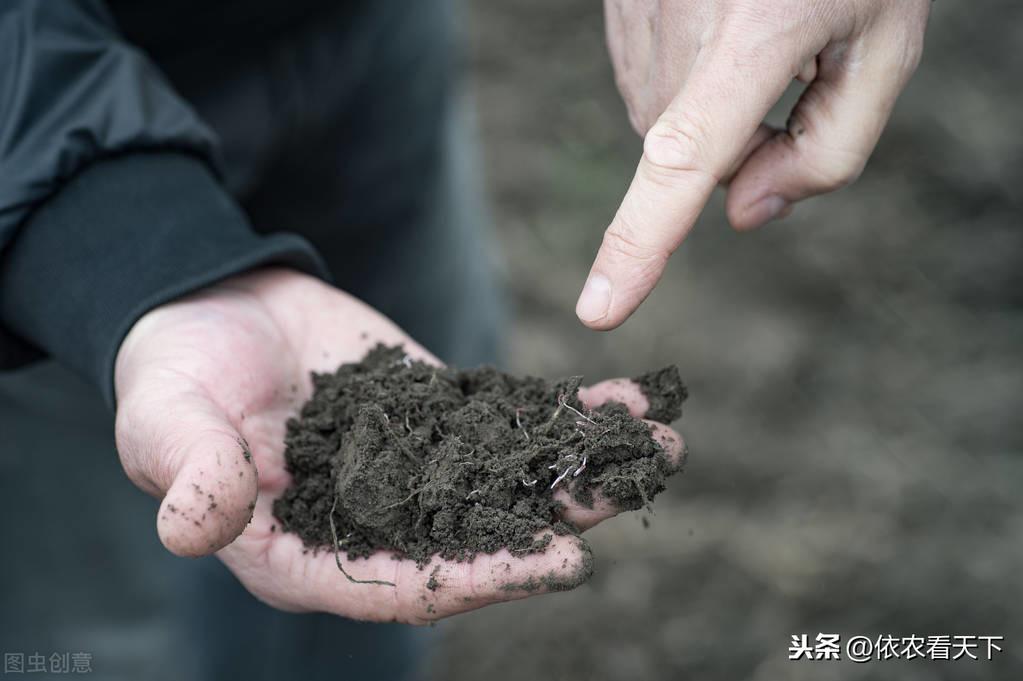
[(180, 445)]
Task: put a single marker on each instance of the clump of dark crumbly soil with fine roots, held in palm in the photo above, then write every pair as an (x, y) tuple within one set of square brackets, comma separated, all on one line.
[(425, 461)]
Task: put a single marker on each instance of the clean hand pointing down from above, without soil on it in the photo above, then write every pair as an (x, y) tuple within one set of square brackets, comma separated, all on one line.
[(699, 76)]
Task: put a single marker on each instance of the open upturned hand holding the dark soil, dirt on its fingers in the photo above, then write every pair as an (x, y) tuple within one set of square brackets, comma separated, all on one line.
[(204, 388)]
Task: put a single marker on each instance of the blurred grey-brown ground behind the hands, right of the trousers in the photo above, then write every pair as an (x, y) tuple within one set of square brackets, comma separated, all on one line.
[(856, 376)]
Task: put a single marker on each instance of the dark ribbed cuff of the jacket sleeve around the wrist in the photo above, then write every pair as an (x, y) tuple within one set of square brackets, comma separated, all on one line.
[(123, 237)]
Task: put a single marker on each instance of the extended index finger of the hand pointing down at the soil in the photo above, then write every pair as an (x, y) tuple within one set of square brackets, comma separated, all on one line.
[(687, 153)]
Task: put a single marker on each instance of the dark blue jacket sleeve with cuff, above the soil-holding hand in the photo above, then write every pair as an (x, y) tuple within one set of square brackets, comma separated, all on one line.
[(110, 202)]
